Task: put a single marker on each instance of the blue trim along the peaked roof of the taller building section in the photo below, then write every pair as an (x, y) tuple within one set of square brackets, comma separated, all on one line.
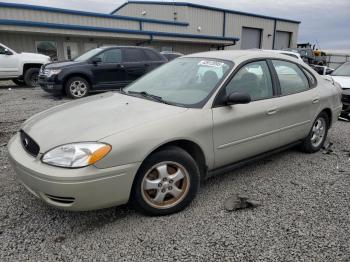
[(205, 7)]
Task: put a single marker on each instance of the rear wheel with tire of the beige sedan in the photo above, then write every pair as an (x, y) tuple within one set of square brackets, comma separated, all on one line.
[(318, 134)]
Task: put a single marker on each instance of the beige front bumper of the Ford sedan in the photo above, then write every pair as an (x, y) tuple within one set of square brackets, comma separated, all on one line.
[(77, 189)]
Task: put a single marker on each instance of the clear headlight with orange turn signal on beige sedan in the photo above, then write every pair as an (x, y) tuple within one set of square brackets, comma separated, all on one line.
[(76, 155)]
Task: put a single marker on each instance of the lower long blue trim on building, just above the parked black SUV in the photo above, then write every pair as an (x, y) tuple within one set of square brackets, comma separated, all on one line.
[(111, 30)]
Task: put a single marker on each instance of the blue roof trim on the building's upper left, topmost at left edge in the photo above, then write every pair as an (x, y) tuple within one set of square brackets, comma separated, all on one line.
[(75, 12)]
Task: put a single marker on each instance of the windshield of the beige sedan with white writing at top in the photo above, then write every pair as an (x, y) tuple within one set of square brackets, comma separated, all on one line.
[(185, 81)]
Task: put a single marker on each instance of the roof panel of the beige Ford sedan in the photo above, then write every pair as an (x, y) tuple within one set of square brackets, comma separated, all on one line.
[(234, 55)]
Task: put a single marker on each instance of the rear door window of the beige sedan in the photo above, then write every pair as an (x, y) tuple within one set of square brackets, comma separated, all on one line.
[(292, 79)]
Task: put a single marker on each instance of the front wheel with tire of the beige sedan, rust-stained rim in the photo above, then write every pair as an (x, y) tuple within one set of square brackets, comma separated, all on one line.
[(172, 178)]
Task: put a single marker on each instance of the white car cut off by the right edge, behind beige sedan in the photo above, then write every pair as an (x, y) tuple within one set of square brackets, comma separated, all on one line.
[(342, 76)]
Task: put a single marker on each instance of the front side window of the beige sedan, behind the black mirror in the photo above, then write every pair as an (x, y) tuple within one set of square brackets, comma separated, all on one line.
[(253, 79)]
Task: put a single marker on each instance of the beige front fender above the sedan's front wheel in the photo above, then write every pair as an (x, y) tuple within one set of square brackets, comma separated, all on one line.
[(136, 144)]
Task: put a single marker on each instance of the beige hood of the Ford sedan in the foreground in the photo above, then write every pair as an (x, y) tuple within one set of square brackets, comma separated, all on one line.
[(94, 118)]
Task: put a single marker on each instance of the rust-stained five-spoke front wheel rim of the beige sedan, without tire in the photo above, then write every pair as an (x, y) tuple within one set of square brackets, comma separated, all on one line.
[(165, 185)]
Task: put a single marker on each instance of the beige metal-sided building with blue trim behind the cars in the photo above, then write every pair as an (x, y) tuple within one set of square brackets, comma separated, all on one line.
[(177, 26)]
